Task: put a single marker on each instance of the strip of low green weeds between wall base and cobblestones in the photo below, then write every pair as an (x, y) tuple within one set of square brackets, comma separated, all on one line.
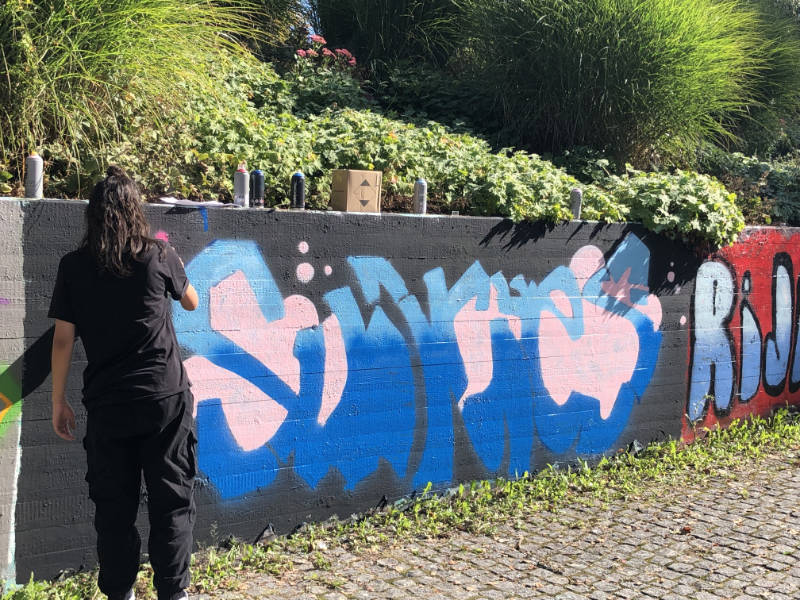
[(475, 507)]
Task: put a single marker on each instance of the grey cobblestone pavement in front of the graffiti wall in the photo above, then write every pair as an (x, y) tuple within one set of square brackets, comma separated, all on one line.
[(733, 537)]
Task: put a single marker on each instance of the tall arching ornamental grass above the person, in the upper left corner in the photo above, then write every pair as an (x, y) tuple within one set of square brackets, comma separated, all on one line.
[(79, 70)]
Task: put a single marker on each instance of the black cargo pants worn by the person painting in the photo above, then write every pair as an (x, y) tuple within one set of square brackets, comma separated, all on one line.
[(124, 441)]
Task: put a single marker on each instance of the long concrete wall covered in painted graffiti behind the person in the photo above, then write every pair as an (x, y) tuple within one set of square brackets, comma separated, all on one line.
[(340, 361)]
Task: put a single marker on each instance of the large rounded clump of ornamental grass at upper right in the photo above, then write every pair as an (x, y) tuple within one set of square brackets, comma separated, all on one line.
[(642, 79)]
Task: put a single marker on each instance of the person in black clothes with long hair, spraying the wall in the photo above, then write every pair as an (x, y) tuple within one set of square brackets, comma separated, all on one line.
[(114, 292)]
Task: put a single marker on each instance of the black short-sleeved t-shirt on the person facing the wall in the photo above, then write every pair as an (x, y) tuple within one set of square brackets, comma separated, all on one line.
[(125, 324)]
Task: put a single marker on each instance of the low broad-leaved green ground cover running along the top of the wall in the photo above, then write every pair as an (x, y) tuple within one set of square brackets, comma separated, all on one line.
[(255, 117)]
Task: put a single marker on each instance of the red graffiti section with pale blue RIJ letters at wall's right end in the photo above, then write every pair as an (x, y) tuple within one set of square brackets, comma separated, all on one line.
[(743, 357)]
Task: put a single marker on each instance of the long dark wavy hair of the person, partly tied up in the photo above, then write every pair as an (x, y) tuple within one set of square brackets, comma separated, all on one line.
[(117, 232)]
